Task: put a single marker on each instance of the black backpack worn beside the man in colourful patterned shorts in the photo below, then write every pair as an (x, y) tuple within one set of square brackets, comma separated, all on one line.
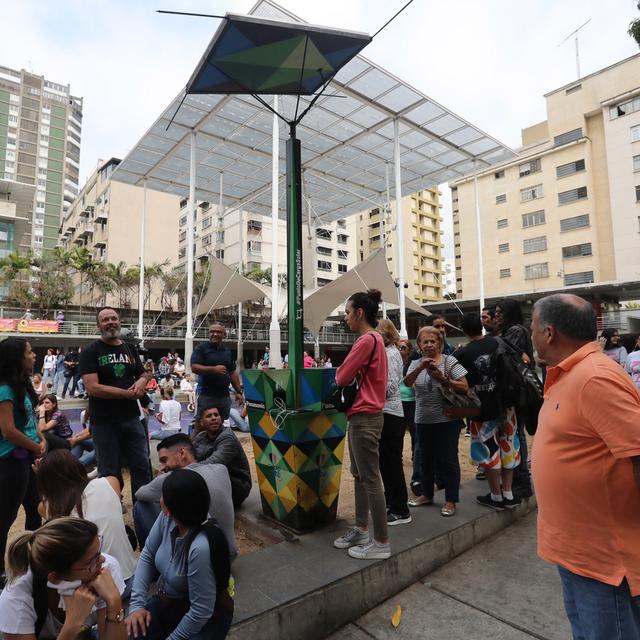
[(517, 385)]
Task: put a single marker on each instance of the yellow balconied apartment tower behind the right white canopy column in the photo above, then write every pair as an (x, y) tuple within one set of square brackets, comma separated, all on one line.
[(422, 241)]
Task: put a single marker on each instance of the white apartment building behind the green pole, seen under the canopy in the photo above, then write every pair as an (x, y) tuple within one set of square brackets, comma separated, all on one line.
[(246, 237)]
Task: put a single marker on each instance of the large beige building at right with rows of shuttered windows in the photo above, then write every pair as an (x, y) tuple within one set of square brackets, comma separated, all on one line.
[(566, 211)]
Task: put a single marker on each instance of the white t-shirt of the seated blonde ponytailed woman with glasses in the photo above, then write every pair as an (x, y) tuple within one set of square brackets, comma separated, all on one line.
[(18, 614)]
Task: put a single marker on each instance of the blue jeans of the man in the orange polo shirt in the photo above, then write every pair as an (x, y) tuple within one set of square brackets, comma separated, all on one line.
[(599, 611)]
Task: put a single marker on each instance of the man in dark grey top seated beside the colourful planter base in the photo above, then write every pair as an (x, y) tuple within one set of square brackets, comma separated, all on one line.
[(216, 443)]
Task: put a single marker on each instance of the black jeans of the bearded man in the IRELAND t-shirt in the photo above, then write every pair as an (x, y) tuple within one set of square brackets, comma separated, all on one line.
[(126, 438)]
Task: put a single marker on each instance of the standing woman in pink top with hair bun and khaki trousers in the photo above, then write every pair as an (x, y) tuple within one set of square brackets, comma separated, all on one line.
[(368, 361)]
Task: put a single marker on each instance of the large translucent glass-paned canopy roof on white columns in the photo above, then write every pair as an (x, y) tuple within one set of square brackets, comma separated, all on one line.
[(346, 138)]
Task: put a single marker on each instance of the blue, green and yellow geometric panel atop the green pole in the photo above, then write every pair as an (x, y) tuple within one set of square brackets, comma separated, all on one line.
[(251, 55)]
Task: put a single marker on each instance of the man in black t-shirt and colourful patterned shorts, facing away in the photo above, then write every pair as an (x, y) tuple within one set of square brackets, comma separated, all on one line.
[(495, 446)]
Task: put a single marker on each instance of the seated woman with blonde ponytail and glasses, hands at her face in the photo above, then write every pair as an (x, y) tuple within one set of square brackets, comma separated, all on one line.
[(60, 583)]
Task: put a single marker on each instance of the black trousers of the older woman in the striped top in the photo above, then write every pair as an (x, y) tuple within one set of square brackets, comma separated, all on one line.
[(439, 451)]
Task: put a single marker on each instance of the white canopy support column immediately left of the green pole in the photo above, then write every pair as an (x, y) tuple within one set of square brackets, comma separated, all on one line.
[(275, 356)]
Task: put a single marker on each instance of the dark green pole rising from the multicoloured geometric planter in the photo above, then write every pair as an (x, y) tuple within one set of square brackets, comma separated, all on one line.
[(294, 260)]
